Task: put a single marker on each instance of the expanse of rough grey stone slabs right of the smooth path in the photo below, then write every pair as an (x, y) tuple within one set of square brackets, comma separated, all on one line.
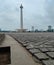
[(39, 45)]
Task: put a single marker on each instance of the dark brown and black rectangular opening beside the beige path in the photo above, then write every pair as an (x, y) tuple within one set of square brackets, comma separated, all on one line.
[(5, 55)]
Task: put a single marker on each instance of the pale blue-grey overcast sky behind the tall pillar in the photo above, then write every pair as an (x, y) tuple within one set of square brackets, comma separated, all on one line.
[(37, 13)]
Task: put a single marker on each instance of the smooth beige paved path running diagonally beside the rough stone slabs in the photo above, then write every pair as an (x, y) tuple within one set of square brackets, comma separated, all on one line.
[(19, 56)]
